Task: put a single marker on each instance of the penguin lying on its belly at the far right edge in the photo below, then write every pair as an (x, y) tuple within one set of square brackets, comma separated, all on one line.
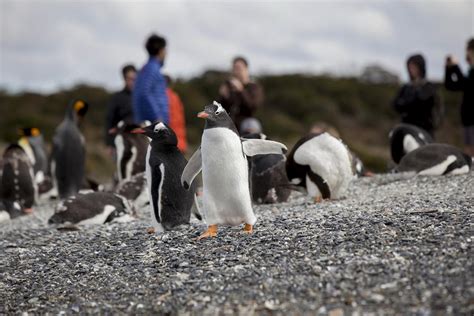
[(436, 159)]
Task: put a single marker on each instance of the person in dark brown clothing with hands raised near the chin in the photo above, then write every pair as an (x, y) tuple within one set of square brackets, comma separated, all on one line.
[(240, 96)]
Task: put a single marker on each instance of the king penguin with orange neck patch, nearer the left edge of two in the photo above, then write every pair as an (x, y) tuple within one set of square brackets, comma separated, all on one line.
[(32, 142)]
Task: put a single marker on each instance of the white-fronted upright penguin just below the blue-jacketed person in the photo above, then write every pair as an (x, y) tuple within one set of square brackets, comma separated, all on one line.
[(131, 150)]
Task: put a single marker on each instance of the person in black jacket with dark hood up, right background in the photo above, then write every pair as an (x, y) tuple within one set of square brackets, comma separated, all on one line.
[(418, 101)]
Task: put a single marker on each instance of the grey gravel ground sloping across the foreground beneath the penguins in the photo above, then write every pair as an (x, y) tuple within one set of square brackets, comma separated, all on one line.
[(393, 246)]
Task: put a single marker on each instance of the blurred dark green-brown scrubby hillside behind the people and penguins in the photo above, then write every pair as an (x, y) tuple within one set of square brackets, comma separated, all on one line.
[(359, 110)]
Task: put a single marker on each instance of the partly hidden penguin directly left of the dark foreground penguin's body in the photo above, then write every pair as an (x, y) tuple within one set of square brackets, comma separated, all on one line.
[(135, 190)]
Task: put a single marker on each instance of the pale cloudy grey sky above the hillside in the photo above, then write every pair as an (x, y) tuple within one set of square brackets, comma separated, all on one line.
[(46, 45)]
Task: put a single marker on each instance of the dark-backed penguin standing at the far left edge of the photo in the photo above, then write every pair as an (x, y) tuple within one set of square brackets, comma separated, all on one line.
[(18, 180)]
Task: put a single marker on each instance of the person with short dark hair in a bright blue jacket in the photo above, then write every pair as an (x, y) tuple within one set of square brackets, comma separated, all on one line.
[(150, 102)]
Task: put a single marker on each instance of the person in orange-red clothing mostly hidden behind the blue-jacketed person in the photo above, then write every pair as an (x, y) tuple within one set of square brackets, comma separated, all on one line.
[(176, 113)]
